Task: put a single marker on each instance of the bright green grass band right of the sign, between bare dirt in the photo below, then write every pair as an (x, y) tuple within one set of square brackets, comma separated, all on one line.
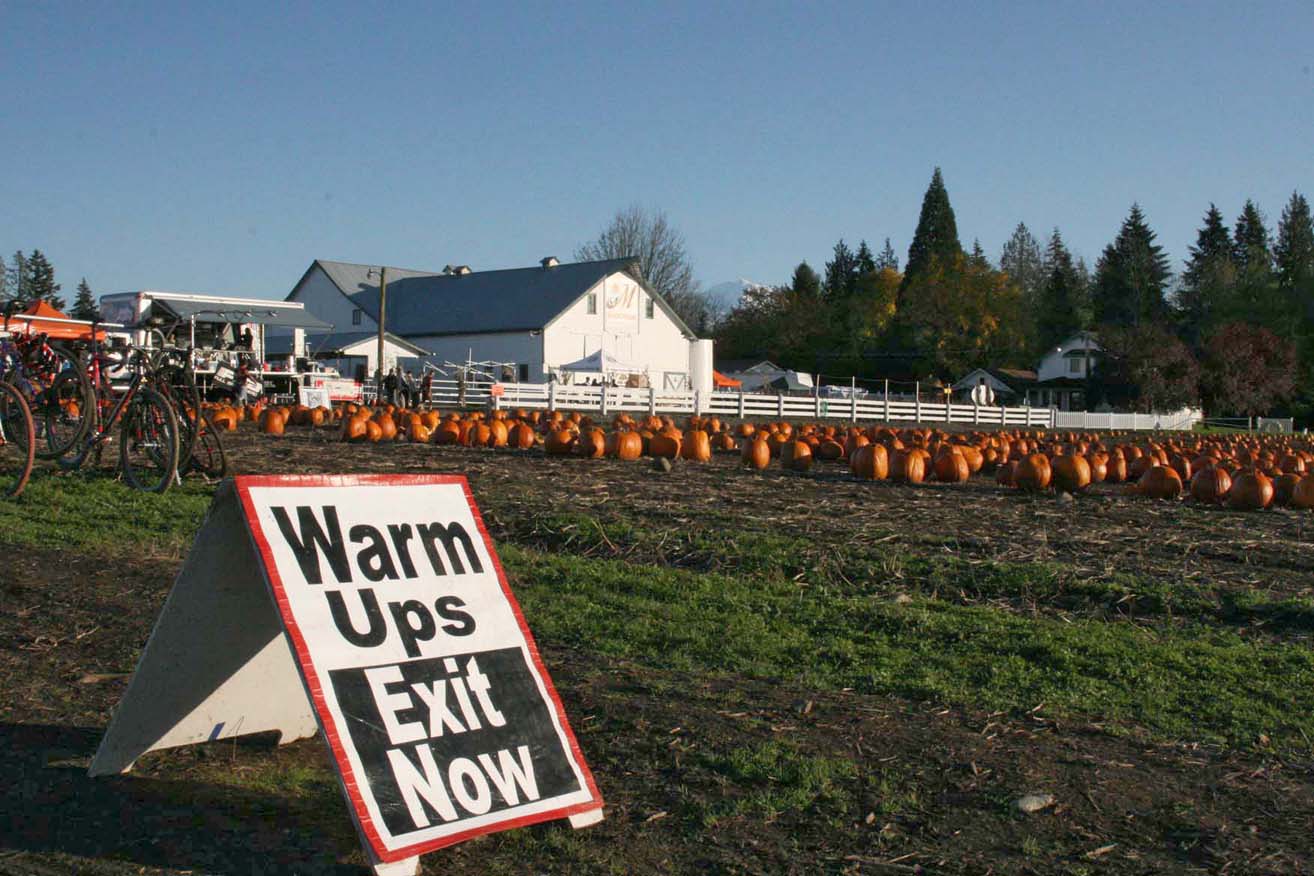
[(1194, 684)]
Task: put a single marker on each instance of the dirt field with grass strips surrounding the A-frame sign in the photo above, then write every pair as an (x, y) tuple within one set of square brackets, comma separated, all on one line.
[(769, 673)]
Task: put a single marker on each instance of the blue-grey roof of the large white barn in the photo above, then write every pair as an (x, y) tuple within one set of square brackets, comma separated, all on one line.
[(422, 303)]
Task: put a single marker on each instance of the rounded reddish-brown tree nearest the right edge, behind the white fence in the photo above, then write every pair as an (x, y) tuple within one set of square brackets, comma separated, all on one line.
[(1248, 371)]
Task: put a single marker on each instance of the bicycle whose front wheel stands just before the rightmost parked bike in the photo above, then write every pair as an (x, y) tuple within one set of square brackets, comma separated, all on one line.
[(149, 431)]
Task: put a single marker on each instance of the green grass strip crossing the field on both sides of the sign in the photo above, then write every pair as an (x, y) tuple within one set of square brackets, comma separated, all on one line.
[(827, 617)]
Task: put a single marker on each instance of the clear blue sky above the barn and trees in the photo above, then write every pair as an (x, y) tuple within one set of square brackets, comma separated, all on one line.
[(224, 148)]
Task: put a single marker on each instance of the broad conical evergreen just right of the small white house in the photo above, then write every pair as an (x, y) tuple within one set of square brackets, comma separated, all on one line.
[(1132, 276)]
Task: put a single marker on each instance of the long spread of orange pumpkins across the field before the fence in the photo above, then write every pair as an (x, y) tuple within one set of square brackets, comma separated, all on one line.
[(1242, 472)]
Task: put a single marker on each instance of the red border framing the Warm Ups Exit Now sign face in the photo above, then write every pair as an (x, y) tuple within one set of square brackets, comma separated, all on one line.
[(316, 690)]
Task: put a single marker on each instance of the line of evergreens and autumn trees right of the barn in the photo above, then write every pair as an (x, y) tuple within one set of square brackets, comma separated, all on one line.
[(1235, 330)]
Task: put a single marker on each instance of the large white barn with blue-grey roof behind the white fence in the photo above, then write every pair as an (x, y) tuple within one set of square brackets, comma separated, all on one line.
[(529, 322)]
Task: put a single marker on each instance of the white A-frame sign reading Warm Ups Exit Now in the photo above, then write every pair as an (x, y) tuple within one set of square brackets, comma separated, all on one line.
[(374, 609)]
